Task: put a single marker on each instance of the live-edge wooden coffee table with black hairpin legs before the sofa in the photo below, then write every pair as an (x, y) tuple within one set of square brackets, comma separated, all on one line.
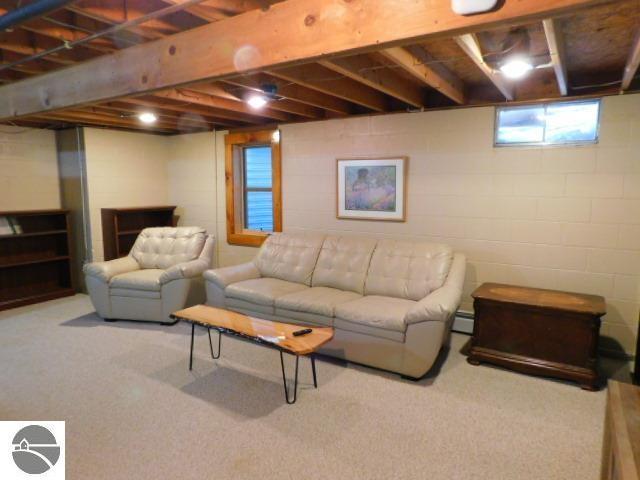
[(275, 335)]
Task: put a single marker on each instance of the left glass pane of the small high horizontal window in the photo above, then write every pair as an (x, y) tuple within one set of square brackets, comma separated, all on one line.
[(520, 125)]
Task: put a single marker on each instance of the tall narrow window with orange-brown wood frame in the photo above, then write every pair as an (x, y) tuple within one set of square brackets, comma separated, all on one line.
[(254, 195)]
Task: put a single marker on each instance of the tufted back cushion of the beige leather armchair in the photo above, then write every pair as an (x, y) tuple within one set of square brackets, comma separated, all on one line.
[(163, 247)]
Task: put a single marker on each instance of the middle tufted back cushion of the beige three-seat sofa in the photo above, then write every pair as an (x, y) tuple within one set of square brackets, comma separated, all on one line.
[(343, 263)]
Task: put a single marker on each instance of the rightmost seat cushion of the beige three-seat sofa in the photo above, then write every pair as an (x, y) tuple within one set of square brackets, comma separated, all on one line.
[(376, 311)]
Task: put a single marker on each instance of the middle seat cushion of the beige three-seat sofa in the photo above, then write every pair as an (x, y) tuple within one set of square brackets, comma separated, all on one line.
[(317, 300)]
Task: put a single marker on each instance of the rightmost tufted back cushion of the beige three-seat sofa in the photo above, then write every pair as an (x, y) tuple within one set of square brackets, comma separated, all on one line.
[(408, 270)]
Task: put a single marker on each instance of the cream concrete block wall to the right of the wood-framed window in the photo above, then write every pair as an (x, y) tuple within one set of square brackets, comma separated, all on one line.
[(555, 217)]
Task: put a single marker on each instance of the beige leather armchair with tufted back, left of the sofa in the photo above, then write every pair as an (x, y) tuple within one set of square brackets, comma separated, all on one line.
[(161, 274)]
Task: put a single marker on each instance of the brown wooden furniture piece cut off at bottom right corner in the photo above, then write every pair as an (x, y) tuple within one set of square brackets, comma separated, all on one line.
[(621, 442)]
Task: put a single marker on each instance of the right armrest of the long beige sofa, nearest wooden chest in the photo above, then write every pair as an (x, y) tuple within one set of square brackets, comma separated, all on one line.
[(443, 302)]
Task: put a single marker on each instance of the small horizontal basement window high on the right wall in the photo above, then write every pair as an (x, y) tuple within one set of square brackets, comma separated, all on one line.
[(559, 123)]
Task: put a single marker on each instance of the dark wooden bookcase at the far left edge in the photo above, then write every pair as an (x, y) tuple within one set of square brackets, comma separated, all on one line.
[(35, 260)]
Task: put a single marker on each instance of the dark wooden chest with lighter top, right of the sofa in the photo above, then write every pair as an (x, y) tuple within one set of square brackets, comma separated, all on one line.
[(537, 331)]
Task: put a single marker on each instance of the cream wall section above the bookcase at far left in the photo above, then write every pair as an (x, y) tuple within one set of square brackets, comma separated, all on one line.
[(28, 169)]
